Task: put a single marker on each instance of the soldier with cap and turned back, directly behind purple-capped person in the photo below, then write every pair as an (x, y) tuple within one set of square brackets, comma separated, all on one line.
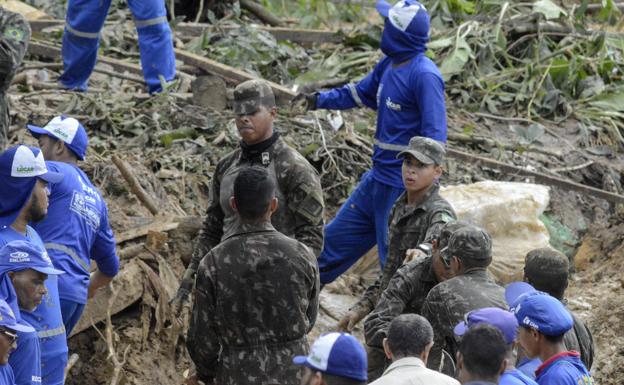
[(468, 253)]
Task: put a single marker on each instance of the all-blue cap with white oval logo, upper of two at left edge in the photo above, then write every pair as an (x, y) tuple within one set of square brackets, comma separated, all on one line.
[(21, 255)]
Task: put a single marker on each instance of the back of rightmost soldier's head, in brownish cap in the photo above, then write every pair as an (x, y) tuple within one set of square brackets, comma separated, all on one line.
[(547, 270)]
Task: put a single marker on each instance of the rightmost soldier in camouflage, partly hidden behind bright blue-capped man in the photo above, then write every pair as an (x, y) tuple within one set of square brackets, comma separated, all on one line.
[(547, 270)]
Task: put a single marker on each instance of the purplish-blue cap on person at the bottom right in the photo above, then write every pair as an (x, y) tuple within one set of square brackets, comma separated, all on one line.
[(504, 320)]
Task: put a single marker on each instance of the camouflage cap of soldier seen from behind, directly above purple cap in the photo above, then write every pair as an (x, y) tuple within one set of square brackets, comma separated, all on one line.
[(469, 242)]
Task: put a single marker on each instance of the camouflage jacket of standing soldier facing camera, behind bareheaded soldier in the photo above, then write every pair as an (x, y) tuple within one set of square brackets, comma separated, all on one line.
[(300, 209)]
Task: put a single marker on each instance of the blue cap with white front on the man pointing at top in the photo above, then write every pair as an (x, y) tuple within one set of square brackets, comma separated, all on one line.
[(408, 16)]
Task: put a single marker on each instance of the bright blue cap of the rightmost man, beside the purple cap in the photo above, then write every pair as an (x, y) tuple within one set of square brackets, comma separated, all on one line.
[(538, 310)]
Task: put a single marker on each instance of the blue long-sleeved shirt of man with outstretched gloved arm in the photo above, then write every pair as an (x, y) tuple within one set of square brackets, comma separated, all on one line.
[(409, 100)]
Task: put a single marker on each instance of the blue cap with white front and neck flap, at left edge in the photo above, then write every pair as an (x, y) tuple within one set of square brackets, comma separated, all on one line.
[(20, 167)]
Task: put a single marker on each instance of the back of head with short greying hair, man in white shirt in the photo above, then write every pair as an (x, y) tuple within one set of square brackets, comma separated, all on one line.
[(408, 335)]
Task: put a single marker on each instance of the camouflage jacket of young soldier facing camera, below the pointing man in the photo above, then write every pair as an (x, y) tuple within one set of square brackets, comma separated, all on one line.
[(409, 226)]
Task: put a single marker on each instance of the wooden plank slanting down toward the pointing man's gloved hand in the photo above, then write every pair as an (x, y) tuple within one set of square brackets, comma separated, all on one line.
[(226, 71)]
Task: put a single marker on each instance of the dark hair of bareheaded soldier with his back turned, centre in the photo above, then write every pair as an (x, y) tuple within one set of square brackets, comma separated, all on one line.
[(253, 190)]
